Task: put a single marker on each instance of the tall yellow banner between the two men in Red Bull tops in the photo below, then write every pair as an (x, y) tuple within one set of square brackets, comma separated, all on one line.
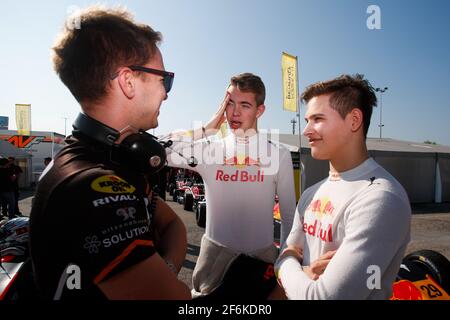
[(290, 82)]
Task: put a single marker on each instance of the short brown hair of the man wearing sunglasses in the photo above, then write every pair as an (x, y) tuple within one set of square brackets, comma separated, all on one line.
[(86, 57)]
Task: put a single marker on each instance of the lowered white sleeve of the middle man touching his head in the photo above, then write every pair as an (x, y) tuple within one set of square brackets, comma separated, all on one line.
[(286, 193)]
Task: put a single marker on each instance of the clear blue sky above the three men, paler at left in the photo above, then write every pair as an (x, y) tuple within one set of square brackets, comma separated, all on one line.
[(206, 42)]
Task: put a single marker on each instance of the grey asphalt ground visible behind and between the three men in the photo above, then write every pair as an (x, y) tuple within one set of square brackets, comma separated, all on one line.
[(430, 229)]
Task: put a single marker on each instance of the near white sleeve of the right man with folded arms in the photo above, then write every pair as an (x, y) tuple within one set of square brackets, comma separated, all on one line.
[(377, 231)]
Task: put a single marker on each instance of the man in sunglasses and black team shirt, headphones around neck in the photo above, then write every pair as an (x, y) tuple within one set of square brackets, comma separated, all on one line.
[(97, 230)]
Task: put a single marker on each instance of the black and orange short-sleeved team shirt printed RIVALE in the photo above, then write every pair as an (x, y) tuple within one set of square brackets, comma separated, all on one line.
[(91, 219)]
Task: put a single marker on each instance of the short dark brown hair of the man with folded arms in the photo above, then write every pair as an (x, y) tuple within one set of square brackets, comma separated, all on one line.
[(346, 92)]
